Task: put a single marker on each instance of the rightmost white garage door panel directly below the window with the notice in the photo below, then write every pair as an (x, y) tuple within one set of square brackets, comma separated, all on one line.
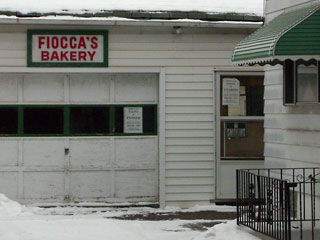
[(136, 152)]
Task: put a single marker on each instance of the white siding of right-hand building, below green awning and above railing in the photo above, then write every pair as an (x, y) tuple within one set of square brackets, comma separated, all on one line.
[(292, 133)]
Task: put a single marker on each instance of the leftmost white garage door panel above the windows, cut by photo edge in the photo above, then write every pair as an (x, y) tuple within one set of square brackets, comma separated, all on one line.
[(9, 87)]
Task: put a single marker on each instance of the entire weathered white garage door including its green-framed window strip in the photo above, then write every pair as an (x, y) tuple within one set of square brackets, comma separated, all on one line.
[(79, 137)]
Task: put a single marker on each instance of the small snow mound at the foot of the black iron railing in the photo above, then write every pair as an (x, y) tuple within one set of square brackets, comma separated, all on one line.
[(226, 231)]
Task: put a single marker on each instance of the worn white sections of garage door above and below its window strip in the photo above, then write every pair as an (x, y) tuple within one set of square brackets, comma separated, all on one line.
[(80, 168)]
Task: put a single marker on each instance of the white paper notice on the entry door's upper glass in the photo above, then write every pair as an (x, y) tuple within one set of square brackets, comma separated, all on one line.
[(230, 91)]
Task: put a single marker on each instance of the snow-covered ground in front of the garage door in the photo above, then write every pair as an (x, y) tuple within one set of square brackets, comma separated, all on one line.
[(77, 223)]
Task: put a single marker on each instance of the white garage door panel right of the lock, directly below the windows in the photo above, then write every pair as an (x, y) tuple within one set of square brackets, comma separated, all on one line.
[(90, 153)]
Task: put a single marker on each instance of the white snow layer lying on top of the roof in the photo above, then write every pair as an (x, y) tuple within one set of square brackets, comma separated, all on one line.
[(248, 7)]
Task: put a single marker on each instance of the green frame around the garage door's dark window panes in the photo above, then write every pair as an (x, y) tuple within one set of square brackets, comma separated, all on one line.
[(66, 120)]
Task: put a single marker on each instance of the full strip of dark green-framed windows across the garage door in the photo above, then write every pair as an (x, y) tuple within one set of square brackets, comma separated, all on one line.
[(77, 120)]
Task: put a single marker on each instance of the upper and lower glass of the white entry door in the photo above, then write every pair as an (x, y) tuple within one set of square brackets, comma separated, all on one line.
[(241, 126)]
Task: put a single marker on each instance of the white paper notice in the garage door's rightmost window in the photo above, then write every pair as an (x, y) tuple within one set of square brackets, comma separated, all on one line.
[(133, 120)]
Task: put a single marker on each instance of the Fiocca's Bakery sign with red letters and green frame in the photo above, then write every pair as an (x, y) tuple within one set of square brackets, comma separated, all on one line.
[(67, 48)]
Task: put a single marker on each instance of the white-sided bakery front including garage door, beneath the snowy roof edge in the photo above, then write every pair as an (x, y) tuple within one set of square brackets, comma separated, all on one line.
[(141, 128)]
